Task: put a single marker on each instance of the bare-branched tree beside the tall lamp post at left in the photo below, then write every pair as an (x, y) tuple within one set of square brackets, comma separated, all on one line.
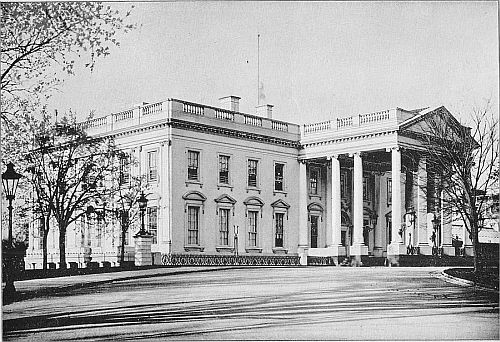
[(68, 170)]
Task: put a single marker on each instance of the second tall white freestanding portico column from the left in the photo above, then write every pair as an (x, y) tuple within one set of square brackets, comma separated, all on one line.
[(358, 200)]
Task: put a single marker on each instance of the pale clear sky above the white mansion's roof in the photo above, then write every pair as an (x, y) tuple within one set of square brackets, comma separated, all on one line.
[(318, 60)]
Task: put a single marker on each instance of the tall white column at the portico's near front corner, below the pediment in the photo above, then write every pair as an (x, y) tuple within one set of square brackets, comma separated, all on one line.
[(396, 195)]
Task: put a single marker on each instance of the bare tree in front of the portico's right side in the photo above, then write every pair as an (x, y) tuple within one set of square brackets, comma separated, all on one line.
[(462, 164)]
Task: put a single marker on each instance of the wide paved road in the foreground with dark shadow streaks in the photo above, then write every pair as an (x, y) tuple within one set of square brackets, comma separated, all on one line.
[(262, 304)]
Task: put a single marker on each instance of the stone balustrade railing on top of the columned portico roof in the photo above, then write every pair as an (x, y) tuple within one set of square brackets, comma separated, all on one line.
[(351, 122)]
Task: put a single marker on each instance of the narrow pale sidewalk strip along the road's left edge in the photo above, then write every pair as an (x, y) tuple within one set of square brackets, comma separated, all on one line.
[(39, 287)]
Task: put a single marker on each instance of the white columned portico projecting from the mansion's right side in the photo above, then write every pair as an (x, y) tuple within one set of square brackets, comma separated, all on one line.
[(371, 179)]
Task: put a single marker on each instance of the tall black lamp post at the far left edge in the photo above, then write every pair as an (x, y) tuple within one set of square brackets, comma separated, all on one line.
[(10, 179)]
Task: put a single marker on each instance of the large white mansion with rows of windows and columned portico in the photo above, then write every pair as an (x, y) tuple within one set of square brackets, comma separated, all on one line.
[(232, 188)]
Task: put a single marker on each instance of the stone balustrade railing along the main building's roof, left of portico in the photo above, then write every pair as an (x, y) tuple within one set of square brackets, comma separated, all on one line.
[(173, 108)]
